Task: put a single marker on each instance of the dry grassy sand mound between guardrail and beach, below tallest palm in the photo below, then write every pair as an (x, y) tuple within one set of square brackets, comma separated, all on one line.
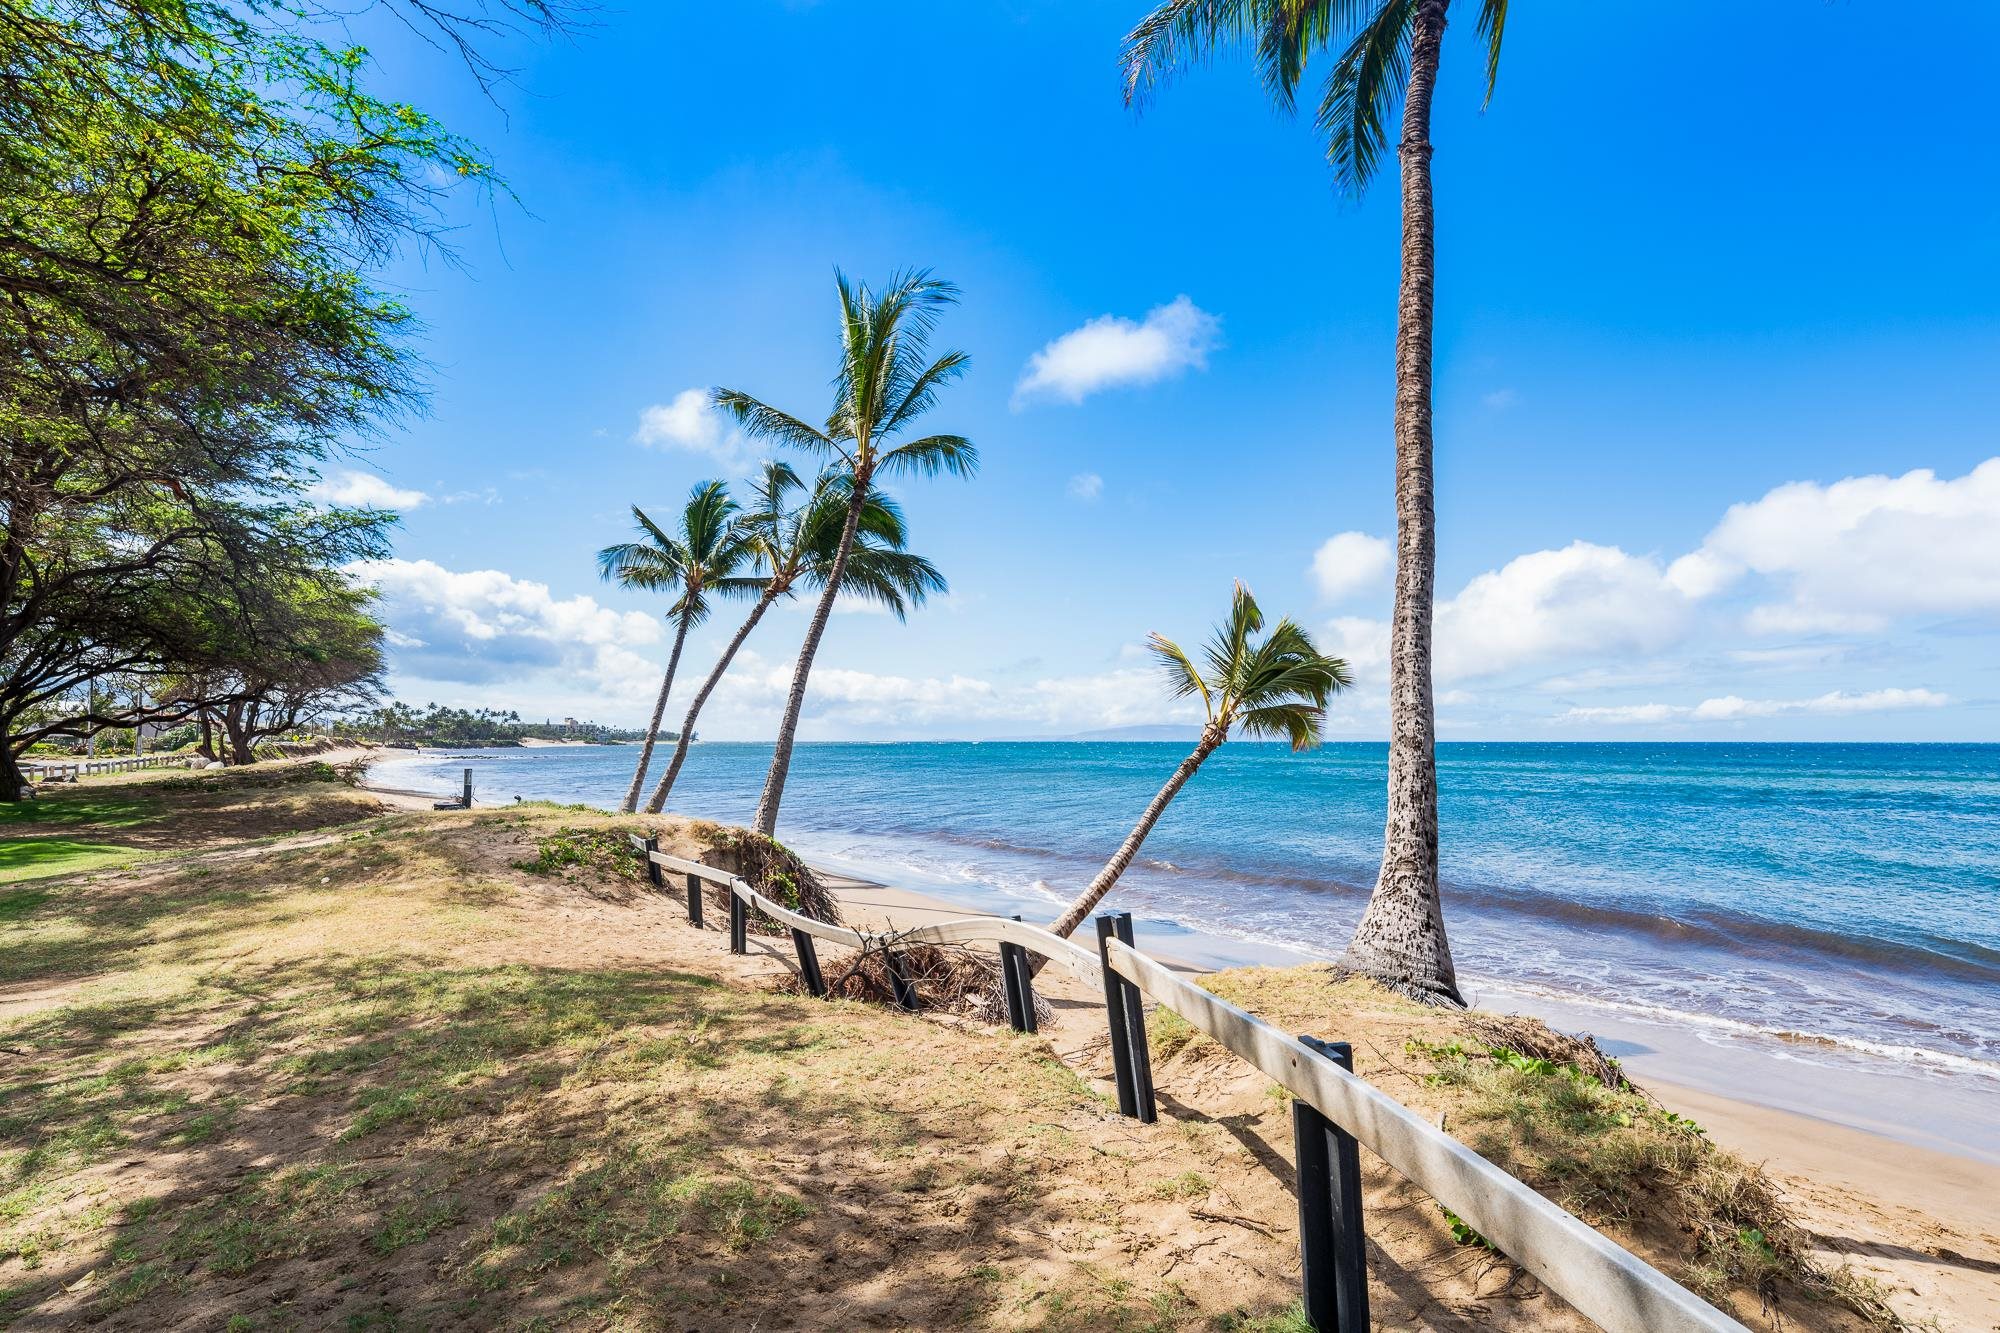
[(1563, 1118)]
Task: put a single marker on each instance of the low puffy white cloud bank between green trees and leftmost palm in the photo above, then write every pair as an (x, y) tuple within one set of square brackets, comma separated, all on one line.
[(485, 627)]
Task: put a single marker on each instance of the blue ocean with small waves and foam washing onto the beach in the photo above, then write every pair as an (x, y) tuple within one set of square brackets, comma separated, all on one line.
[(1831, 912)]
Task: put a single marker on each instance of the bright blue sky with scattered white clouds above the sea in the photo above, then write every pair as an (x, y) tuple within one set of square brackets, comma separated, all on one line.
[(1719, 325)]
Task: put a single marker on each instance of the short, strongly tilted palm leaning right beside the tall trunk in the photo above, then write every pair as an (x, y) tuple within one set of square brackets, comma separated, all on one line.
[(1271, 688)]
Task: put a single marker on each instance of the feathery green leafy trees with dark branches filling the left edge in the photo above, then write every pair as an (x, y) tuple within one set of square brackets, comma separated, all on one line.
[(189, 199)]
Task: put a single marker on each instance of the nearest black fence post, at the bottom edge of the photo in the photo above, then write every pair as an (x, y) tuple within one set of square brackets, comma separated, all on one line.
[(1331, 1212)]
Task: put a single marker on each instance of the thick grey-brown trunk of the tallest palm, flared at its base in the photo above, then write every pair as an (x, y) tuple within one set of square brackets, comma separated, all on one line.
[(1401, 940)]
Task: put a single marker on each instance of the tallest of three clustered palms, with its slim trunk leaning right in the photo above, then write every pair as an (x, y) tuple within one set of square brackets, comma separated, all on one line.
[(885, 383)]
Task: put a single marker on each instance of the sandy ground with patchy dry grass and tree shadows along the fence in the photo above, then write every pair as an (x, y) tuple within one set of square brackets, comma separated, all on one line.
[(471, 1072)]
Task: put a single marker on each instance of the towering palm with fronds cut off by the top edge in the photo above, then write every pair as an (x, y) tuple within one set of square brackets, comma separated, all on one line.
[(1389, 51)]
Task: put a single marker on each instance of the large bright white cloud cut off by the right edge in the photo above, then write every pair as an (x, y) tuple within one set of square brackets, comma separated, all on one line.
[(1861, 553)]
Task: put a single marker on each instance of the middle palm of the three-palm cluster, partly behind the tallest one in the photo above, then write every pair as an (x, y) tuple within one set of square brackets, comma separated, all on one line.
[(795, 547)]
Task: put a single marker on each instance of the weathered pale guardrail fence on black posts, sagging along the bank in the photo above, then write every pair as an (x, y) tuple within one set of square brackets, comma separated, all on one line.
[(1335, 1114)]
